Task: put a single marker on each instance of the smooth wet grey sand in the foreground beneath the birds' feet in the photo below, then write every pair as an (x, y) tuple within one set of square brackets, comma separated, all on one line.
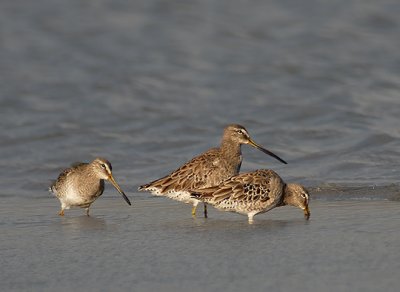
[(156, 244)]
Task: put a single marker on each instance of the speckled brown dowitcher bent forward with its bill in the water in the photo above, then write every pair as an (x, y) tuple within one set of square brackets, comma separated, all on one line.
[(255, 192)]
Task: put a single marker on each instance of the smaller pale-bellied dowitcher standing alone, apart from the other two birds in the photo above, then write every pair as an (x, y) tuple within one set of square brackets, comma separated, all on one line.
[(81, 184)]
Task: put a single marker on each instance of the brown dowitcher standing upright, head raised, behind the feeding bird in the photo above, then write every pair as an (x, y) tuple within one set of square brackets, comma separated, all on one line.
[(206, 170)]
